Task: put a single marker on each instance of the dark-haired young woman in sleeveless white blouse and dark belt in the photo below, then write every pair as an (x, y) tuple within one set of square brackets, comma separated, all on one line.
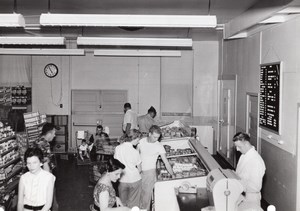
[(36, 186)]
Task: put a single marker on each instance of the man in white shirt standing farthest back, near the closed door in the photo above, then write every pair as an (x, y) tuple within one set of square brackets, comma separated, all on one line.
[(130, 119)]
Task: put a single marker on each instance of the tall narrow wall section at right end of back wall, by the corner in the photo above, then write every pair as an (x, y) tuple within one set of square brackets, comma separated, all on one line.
[(205, 79)]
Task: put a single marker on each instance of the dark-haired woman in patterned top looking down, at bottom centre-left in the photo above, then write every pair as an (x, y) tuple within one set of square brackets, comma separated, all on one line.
[(105, 198)]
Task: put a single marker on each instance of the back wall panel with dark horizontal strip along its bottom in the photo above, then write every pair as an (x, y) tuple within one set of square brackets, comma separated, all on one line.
[(177, 85)]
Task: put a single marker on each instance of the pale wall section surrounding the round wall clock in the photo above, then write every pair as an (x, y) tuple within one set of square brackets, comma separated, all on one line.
[(46, 92)]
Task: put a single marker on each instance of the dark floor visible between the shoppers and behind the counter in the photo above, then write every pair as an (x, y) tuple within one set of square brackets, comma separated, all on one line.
[(73, 189)]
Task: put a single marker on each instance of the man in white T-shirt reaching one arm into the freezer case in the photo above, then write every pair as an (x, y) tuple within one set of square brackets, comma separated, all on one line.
[(150, 148)]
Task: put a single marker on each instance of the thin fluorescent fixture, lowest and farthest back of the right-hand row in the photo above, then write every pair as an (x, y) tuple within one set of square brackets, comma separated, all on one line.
[(140, 53)]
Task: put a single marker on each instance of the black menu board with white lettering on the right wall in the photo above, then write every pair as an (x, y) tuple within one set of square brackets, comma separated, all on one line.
[(269, 103)]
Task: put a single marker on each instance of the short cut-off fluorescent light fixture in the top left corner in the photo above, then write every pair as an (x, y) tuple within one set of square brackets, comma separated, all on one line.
[(12, 20)]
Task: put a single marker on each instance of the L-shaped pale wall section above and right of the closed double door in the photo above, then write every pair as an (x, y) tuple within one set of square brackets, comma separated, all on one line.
[(139, 76)]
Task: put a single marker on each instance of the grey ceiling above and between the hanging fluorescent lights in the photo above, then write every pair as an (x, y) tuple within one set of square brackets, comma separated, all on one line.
[(225, 11)]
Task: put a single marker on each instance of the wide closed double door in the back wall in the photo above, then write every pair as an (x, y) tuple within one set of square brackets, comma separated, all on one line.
[(92, 106)]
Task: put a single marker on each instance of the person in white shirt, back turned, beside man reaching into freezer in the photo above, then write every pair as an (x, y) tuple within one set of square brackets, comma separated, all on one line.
[(130, 181)]
